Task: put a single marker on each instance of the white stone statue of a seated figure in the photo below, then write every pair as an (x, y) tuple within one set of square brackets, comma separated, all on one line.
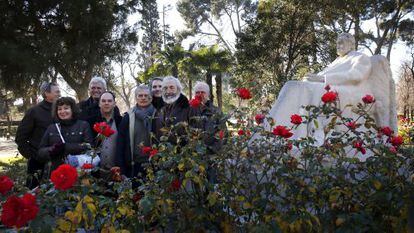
[(353, 75)]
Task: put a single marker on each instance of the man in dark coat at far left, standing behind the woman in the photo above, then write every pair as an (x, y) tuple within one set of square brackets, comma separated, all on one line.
[(31, 130)]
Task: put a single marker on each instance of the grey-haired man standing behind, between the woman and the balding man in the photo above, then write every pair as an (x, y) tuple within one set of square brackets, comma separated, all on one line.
[(90, 107)]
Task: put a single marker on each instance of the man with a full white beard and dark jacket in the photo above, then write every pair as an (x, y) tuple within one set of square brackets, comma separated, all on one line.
[(175, 110)]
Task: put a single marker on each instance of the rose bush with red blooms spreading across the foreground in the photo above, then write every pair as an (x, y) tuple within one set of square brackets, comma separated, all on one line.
[(258, 181)]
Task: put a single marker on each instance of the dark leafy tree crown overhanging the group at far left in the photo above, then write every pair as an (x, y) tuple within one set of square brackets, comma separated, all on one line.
[(71, 38)]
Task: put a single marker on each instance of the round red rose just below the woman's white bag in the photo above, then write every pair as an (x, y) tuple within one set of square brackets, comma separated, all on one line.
[(64, 177)]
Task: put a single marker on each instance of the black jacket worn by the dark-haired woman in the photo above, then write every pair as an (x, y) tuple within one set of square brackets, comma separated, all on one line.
[(75, 133)]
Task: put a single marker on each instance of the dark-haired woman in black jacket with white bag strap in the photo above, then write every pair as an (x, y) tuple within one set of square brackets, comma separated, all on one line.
[(67, 136)]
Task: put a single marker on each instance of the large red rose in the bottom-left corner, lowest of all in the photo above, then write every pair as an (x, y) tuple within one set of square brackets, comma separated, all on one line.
[(18, 211)]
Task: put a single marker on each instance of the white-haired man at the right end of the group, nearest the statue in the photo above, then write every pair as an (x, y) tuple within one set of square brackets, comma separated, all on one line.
[(207, 117)]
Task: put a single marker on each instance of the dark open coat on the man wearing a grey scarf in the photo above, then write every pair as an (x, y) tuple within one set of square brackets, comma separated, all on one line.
[(124, 158)]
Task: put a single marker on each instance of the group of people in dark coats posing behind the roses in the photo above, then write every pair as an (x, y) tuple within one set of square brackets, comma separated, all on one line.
[(58, 127)]
